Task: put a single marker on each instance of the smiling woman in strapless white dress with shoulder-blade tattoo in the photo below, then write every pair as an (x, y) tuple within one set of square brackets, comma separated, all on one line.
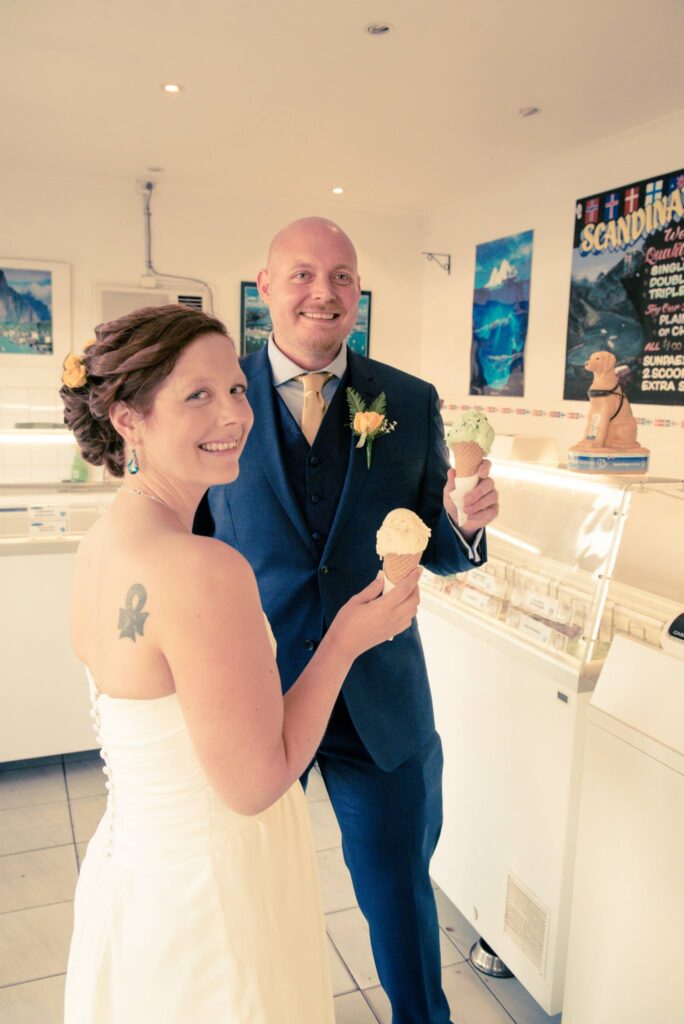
[(198, 899)]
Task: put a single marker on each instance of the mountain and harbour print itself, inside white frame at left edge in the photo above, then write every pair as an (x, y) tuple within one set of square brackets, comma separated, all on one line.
[(26, 312)]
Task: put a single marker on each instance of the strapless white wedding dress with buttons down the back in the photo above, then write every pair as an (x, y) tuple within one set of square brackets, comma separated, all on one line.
[(185, 911)]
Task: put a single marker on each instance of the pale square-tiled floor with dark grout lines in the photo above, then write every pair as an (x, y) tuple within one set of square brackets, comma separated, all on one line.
[(50, 809)]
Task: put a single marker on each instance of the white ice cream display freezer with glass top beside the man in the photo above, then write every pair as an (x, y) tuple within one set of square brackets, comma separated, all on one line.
[(514, 651)]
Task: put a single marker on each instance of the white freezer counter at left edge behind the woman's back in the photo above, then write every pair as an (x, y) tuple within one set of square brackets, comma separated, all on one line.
[(45, 694)]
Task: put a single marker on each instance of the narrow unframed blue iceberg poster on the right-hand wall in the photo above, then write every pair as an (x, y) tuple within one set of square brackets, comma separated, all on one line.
[(501, 311)]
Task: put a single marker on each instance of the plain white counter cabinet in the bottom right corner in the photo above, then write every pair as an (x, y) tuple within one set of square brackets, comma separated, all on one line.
[(627, 922)]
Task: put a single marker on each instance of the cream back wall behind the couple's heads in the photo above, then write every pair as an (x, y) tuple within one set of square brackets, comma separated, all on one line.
[(97, 226)]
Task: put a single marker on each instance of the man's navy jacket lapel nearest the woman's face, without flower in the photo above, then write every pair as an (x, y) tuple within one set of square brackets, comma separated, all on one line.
[(265, 438)]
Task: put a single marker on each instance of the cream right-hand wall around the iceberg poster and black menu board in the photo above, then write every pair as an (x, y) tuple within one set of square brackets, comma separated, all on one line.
[(543, 199)]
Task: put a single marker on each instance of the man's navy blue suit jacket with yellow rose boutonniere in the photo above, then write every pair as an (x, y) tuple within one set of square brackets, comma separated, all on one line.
[(303, 587)]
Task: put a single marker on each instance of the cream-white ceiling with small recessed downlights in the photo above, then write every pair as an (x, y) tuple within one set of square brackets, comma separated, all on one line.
[(290, 98)]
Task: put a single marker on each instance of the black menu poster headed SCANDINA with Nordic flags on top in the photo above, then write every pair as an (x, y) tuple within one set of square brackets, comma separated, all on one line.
[(627, 291)]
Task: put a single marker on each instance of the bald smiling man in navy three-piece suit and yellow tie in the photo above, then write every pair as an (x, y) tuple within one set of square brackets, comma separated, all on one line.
[(305, 511)]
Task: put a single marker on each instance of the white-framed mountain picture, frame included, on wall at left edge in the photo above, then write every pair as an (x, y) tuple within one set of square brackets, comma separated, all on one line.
[(35, 313)]
